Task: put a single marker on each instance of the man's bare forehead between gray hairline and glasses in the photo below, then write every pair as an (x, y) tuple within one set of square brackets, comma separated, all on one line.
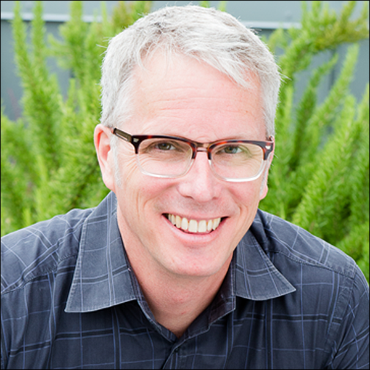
[(189, 98)]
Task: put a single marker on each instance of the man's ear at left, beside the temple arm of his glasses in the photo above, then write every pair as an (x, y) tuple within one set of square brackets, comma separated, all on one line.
[(105, 155)]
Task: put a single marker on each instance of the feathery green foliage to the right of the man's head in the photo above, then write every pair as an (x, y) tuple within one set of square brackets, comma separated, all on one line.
[(319, 178)]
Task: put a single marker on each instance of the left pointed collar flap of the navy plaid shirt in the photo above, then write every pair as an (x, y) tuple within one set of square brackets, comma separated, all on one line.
[(102, 276)]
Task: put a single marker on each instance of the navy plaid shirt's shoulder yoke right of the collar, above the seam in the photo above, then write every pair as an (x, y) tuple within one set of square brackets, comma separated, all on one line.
[(280, 237)]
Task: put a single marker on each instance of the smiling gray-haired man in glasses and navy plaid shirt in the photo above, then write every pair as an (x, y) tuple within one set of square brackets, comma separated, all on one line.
[(177, 267)]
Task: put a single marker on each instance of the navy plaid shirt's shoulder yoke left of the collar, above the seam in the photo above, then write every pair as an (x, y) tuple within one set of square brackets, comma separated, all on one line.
[(38, 249)]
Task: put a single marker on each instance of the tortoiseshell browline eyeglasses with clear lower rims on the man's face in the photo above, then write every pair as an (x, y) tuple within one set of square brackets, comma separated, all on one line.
[(172, 157)]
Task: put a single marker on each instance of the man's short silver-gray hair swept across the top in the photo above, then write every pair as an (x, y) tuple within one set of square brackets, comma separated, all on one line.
[(206, 34)]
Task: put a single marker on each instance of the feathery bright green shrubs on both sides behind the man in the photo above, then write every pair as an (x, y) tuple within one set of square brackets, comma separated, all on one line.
[(319, 179)]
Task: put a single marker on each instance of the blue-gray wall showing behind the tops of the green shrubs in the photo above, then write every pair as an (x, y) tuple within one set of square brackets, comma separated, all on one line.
[(264, 16)]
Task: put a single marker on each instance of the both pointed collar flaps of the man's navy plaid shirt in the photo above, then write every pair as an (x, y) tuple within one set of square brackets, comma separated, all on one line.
[(103, 277)]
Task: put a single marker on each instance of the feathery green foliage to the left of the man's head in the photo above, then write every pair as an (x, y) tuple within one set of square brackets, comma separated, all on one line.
[(48, 161)]
